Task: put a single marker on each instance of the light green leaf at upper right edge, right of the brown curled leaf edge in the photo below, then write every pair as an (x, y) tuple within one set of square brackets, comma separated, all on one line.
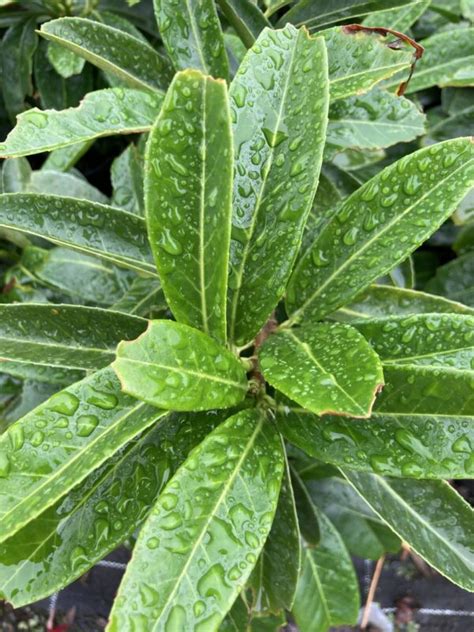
[(447, 61)]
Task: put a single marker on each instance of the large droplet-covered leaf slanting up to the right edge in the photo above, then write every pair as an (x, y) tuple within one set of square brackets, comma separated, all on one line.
[(379, 225)]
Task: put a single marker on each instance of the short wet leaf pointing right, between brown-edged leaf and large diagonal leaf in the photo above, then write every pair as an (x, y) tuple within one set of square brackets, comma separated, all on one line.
[(377, 119)]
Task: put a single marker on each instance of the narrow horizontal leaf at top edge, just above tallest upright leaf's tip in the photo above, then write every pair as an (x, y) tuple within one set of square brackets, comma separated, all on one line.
[(318, 14)]
